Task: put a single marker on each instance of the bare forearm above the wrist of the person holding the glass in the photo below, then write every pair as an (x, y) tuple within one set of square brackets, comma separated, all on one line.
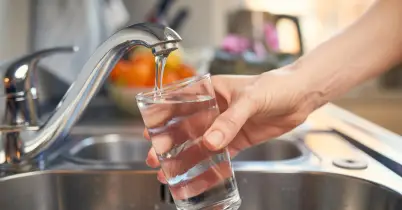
[(365, 49)]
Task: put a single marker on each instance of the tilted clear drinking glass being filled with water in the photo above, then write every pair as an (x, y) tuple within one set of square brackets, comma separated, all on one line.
[(176, 117)]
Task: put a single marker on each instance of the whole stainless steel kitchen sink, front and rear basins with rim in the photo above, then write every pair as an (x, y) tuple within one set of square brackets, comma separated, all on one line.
[(282, 174)]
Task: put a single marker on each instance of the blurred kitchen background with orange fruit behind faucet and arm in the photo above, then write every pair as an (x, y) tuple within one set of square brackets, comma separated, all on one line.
[(220, 37)]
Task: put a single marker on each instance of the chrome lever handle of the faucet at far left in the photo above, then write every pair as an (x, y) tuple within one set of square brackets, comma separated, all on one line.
[(19, 82)]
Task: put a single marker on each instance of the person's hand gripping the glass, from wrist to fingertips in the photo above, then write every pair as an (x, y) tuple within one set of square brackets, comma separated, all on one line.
[(254, 109)]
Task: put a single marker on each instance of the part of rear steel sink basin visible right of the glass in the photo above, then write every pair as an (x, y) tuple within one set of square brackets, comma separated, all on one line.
[(272, 150)]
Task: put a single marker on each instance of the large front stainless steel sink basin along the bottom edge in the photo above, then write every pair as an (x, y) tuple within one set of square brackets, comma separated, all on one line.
[(130, 190)]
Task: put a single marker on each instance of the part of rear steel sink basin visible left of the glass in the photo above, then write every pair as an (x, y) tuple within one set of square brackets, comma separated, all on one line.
[(110, 149)]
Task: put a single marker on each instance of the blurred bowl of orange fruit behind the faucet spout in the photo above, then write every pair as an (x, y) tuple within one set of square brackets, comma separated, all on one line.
[(136, 74)]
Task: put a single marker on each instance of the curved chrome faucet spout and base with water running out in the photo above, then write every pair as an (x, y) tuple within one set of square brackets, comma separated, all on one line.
[(26, 143)]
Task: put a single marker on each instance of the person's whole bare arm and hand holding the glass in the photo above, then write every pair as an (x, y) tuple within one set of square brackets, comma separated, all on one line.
[(257, 108)]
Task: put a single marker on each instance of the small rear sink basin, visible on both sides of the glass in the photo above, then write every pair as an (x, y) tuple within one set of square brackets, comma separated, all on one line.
[(126, 149)]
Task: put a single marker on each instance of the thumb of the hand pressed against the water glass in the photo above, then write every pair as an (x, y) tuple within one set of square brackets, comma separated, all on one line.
[(228, 124)]
